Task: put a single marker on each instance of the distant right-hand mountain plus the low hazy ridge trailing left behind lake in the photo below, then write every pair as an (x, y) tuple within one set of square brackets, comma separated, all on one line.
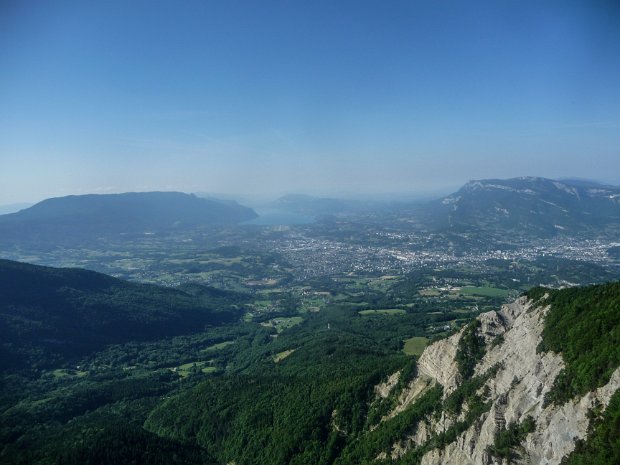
[(525, 206)]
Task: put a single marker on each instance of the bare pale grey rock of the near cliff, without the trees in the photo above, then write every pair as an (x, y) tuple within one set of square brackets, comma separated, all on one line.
[(515, 380)]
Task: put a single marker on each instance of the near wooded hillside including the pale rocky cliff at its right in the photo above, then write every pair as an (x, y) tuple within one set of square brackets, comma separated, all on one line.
[(529, 383)]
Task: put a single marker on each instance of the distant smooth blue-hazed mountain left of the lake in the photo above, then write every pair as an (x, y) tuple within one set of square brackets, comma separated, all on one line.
[(77, 217)]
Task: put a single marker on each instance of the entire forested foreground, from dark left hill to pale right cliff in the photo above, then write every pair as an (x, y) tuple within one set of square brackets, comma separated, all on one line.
[(534, 382)]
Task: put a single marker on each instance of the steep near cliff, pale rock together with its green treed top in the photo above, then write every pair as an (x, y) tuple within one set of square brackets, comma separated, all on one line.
[(519, 402)]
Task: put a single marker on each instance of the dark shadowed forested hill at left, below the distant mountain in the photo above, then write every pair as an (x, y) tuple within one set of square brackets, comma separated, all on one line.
[(49, 314)]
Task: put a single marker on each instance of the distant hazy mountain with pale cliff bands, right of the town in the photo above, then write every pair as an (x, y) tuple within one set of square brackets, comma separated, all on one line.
[(533, 206)]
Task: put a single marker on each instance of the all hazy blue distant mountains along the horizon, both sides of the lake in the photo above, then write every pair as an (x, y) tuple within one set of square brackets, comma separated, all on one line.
[(526, 206)]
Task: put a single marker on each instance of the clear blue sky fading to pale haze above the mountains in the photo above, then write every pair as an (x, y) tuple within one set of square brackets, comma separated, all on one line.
[(304, 96)]
